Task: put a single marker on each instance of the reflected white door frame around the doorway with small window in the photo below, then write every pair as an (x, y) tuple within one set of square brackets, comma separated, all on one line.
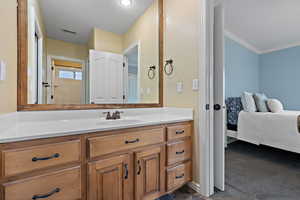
[(50, 74)]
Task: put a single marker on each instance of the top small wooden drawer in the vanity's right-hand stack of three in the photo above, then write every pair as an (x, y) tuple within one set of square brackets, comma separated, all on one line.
[(179, 131)]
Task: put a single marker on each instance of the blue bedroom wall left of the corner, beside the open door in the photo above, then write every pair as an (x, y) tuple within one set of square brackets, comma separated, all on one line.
[(241, 69)]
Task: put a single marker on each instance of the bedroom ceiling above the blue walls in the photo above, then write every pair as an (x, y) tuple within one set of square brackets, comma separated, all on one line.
[(265, 24)]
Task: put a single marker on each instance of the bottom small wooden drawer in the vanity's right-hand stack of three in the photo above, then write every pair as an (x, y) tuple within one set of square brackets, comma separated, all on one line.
[(179, 175)]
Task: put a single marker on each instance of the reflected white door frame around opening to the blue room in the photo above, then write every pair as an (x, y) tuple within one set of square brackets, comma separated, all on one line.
[(133, 45)]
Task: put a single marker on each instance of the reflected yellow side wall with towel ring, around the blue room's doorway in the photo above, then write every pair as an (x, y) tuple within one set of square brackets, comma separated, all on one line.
[(145, 30)]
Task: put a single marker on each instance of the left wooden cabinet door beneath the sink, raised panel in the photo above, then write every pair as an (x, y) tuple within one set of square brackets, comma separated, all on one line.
[(110, 179)]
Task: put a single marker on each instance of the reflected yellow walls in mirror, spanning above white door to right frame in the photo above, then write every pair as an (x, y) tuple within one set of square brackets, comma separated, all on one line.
[(145, 31)]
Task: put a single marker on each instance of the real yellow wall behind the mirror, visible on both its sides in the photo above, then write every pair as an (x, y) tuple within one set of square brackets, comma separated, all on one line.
[(180, 44)]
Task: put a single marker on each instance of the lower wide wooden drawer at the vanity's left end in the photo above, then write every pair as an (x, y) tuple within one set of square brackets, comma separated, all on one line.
[(64, 184)]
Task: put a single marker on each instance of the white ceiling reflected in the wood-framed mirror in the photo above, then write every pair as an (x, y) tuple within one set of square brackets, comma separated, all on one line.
[(81, 16)]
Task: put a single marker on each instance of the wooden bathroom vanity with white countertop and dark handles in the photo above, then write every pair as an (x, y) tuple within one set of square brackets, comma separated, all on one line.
[(124, 160)]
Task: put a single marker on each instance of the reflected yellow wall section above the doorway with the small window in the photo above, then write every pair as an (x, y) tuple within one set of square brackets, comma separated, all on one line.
[(65, 49)]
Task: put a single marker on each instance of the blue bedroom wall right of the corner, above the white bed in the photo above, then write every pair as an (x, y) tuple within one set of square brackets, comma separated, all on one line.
[(280, 76)]
